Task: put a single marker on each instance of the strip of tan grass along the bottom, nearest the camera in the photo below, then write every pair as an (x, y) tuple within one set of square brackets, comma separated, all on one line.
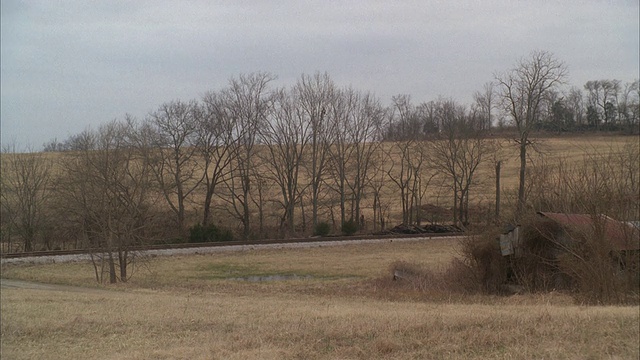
[(170, 325)]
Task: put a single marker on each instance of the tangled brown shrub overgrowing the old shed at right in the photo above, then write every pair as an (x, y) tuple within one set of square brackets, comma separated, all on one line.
[(579, 260)]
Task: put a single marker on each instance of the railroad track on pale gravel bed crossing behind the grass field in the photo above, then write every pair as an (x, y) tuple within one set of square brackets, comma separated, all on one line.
[(227, 243)]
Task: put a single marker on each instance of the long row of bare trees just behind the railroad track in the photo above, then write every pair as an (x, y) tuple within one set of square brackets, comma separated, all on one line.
[(248, 147)]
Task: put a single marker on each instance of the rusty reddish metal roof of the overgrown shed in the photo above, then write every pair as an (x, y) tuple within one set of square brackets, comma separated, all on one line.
[(622, 236)]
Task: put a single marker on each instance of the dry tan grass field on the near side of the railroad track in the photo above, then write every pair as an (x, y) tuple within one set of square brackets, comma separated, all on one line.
[(342, 305)]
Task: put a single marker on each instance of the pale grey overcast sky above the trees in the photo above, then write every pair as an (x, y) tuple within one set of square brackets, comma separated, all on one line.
[(70, 65)]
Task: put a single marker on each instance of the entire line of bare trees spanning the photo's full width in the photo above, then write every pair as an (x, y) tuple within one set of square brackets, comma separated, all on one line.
[(280, 161)]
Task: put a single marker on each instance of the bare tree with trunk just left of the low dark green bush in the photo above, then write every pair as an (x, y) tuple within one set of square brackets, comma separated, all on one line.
[(174, 130)]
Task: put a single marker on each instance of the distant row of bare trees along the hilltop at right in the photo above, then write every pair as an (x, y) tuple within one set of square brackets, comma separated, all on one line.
[(607, 105)]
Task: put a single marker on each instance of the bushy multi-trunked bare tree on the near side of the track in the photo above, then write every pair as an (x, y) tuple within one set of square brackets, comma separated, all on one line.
[(106, 192)]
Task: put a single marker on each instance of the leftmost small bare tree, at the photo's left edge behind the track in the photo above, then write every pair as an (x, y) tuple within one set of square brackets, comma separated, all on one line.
[(25, 188)]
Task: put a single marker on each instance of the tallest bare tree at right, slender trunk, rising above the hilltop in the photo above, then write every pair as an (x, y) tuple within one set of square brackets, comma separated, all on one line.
[(522, 90)]
